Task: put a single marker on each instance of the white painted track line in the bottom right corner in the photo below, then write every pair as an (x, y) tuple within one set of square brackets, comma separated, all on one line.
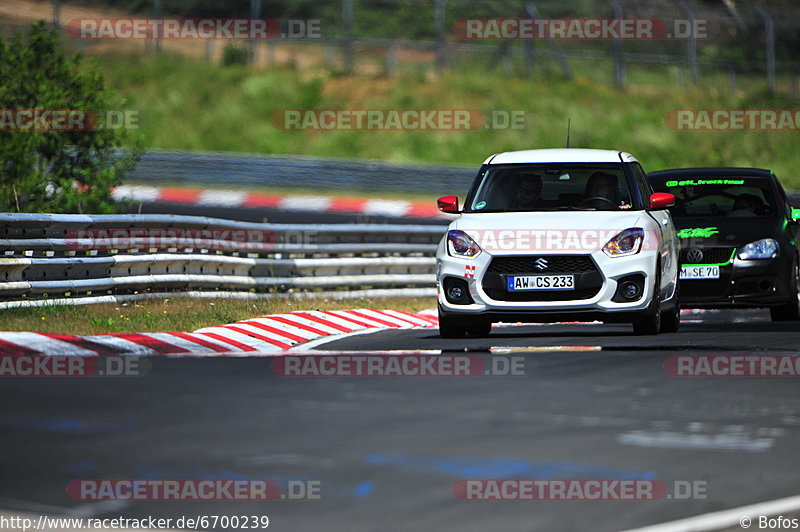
[(726, 518)]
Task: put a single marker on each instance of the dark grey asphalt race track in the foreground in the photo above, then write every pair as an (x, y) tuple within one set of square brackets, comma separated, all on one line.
[(388, 451)]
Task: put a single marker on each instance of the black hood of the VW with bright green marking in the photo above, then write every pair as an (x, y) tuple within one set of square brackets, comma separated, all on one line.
[(725, 232)]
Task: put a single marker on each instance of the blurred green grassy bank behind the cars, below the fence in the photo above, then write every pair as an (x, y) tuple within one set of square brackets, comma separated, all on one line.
[(196, 105)]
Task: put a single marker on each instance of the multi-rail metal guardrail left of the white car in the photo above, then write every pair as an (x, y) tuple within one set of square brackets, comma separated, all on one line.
[(80, 259)]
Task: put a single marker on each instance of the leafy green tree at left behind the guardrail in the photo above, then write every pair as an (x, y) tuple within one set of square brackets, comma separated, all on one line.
[(53, 168)]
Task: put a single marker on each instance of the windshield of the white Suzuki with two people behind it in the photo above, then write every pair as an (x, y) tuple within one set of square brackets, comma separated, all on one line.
[(544, 187)]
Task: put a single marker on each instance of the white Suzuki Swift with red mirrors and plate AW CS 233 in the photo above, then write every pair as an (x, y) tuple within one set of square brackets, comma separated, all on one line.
[(558, 235)]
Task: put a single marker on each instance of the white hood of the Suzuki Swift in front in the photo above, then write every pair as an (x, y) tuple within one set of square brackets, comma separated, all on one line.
[(548, 232)]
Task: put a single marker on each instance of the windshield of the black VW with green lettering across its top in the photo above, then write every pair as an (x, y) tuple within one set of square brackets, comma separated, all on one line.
[(732, 197)]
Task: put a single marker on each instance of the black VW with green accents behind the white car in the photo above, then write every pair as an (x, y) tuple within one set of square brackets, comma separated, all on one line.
[(740, 239)]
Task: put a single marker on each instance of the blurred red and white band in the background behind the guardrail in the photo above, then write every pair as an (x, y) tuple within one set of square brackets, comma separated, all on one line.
[(286, 202)]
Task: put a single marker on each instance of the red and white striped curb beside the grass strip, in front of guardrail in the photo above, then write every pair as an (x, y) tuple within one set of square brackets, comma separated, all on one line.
[(275, 333)]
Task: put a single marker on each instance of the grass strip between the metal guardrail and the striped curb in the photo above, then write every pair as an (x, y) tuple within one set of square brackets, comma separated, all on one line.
[(175, 314)]
